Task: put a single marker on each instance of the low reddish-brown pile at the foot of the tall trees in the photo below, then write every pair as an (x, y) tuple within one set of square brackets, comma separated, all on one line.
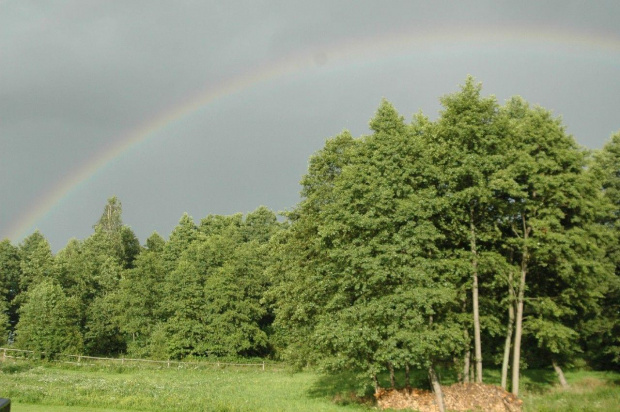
[(458, 397)]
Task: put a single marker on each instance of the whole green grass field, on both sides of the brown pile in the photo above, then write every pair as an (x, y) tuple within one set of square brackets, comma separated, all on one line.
[(51, 387)]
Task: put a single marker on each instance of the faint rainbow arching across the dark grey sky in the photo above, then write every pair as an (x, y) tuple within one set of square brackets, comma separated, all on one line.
[(344, 53)]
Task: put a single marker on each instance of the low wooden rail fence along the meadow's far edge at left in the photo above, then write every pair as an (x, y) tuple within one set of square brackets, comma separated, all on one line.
[(20, 354)]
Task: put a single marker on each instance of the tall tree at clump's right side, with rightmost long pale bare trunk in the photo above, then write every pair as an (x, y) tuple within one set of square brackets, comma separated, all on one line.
[(551, 209)]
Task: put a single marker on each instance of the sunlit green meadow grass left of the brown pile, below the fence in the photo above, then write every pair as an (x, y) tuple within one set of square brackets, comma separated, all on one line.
[(213, 389)]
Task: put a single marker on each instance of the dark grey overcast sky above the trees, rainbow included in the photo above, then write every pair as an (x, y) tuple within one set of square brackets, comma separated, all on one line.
[(214, 107)]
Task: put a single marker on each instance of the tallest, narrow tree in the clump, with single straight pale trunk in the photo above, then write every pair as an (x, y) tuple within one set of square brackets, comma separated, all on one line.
[(472, 135)]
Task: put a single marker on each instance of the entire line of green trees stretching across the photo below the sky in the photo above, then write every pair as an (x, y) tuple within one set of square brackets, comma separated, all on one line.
[(485, 237)]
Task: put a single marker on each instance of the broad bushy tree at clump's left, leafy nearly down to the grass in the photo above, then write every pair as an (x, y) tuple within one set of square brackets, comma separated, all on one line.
[(363, 256)]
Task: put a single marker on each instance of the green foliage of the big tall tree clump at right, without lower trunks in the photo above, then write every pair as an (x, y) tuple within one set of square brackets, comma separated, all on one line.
[(375, 266)]
